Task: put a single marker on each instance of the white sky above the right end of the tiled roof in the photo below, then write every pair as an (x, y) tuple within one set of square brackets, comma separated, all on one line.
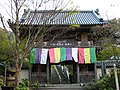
[(108, 9)]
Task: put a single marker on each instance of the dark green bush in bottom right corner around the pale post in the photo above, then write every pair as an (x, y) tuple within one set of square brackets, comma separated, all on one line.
[(108, 81)]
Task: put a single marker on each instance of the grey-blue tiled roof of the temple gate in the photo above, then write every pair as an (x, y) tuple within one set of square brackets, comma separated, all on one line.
[(61, 18)]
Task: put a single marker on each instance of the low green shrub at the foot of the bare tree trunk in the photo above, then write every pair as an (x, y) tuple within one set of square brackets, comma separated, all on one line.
[(24, 85)]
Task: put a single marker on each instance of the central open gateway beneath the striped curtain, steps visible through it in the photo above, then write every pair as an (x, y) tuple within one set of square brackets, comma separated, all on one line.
[(63, 73)]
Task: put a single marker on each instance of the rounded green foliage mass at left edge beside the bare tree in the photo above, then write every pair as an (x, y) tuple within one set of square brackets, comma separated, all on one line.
[(6, 51)]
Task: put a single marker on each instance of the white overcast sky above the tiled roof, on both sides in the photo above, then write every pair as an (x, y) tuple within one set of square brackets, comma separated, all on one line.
[(108, 9)]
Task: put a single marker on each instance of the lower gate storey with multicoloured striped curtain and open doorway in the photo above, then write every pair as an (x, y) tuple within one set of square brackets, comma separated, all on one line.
[(63, 65)]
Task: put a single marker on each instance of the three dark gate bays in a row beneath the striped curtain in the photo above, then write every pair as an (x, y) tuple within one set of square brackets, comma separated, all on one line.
[(63, 73)]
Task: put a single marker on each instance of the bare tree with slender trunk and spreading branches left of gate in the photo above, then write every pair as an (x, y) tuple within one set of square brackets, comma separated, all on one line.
[(32, 36)]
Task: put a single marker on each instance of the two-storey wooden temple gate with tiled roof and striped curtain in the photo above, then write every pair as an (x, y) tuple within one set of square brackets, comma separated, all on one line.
[(67, 54)]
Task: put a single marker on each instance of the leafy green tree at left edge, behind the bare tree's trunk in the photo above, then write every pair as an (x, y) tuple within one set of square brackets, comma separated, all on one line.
[(6, 52)]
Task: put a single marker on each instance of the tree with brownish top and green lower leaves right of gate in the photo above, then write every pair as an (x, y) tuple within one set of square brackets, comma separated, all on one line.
[(107, 40)]
